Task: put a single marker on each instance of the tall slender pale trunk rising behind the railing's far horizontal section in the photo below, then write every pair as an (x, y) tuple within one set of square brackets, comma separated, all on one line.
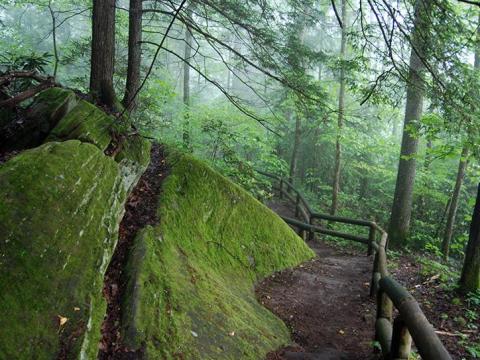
[(341, 111)]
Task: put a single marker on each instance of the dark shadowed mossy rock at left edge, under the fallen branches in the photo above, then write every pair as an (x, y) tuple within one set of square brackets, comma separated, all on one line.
[(41, 117)]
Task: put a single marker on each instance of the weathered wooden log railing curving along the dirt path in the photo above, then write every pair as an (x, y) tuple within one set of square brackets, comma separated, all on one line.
[(394, 335)]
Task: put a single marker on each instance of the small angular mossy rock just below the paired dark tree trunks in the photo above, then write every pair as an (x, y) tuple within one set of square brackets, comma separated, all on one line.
[(86, 123)]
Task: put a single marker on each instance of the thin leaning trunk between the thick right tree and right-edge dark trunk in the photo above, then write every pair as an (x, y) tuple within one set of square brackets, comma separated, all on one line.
[(452, 212)]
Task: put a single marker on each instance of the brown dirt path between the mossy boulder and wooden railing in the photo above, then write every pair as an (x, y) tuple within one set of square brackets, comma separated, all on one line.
[(325, 302)]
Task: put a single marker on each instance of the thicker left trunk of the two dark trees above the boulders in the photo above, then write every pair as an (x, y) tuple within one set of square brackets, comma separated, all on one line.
[(103, 52)]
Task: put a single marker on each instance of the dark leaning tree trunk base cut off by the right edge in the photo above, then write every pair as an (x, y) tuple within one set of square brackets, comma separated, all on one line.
[(470, 280)]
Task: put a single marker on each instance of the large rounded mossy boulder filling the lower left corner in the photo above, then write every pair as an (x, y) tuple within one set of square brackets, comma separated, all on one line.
[(59, 215)]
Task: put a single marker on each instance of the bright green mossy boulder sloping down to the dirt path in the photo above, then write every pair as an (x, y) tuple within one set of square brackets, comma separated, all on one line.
[(191, 278)]
